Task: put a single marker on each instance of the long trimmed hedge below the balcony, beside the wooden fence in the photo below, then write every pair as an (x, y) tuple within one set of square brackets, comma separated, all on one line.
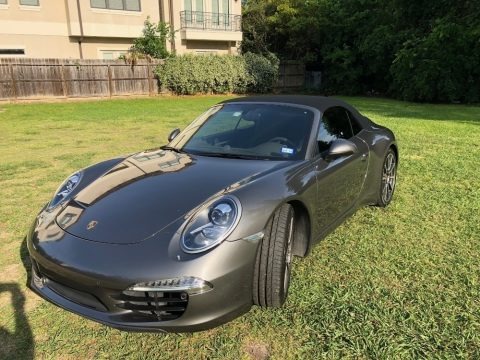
[(218, 74)]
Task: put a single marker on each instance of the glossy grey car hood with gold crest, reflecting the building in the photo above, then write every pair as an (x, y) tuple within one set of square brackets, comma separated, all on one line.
[(146, 192)]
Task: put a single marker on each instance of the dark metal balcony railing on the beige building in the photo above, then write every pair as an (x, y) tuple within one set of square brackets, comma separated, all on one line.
[(210, 21)]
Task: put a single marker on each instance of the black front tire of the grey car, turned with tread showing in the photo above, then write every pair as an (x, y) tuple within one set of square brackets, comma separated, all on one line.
[(271, 277)]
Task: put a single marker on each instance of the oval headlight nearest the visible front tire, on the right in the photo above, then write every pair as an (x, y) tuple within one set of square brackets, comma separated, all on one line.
[(211, 225)]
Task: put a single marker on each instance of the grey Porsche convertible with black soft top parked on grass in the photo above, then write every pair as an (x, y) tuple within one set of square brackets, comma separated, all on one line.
[(191, 235)]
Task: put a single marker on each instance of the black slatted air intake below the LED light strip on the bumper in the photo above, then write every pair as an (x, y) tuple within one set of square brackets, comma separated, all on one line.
[(162, 305)]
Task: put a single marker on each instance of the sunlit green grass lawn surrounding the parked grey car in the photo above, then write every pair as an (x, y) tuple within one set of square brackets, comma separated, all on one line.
[(403, 282)]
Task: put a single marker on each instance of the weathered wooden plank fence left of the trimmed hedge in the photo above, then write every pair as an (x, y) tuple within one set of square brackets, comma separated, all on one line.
[(40, 78)]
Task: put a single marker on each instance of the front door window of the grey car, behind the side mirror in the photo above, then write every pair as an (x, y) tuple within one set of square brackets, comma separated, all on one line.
[(335, 125)]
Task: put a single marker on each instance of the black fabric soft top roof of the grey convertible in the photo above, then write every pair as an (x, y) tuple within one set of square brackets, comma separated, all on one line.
[(322, 103)]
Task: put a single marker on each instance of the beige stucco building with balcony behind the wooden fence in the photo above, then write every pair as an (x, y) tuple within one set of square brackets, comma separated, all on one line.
[(105, 29)]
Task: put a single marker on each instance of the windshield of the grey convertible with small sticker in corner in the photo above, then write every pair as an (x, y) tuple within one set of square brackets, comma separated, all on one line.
[(249, 131)]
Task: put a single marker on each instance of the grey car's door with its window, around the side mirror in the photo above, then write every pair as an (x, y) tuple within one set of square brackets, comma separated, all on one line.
[(339, 181)]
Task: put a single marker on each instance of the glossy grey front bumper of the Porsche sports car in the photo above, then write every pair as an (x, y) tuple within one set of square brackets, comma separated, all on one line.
[(89, 279)]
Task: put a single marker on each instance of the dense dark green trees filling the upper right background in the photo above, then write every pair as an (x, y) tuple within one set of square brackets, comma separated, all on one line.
[(419, 50)]
